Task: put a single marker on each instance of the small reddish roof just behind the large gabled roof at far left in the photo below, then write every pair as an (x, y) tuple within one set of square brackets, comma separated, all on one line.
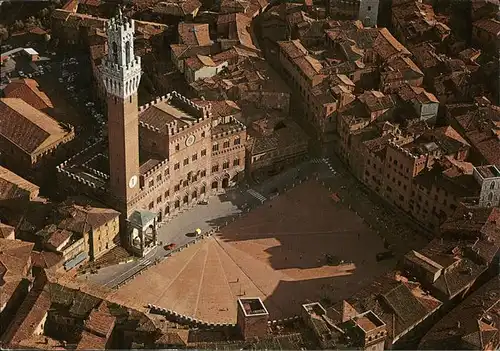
[(27, 90)]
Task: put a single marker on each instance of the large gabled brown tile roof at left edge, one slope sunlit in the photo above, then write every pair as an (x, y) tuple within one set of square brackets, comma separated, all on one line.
[(26, 127)]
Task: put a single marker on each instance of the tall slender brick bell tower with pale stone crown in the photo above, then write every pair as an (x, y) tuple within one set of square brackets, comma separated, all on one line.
[(121, 73)]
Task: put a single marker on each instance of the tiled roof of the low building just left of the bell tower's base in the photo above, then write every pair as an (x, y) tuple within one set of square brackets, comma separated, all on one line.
[(82, 219)]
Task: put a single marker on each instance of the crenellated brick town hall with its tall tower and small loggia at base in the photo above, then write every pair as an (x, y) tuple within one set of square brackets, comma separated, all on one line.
[(160, 158)]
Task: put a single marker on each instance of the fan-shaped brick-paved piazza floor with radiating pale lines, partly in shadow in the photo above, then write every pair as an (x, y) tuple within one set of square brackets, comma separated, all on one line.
[(302, 246)]
